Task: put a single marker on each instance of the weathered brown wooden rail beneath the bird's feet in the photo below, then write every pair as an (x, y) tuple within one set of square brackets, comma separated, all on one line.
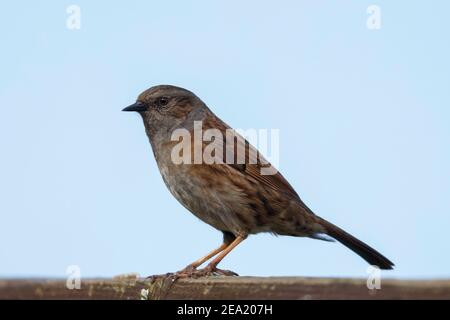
[(224, 288)]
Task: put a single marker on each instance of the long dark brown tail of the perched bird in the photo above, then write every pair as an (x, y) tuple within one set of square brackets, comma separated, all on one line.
[(369, 254)]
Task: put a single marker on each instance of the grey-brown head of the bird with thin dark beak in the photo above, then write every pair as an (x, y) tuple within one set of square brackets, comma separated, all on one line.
[(165, 108)]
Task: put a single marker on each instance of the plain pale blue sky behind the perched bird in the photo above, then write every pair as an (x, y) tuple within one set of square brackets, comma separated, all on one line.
[(364, 119)]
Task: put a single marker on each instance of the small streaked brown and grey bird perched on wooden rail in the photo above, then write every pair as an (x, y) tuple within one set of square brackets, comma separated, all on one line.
[(232, 195)]
